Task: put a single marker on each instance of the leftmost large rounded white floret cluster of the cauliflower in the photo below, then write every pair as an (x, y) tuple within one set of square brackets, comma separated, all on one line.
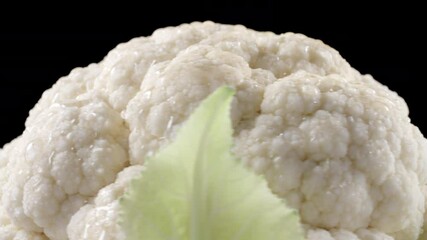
[(69, 151)]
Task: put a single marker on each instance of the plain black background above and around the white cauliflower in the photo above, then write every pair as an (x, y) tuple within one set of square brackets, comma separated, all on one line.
[(37, 48)]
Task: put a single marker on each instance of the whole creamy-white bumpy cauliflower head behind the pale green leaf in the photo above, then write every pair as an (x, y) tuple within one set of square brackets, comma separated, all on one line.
[(335, 144)]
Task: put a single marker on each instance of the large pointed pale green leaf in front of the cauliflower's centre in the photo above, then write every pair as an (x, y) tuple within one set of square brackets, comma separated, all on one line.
[(195, 189)]
